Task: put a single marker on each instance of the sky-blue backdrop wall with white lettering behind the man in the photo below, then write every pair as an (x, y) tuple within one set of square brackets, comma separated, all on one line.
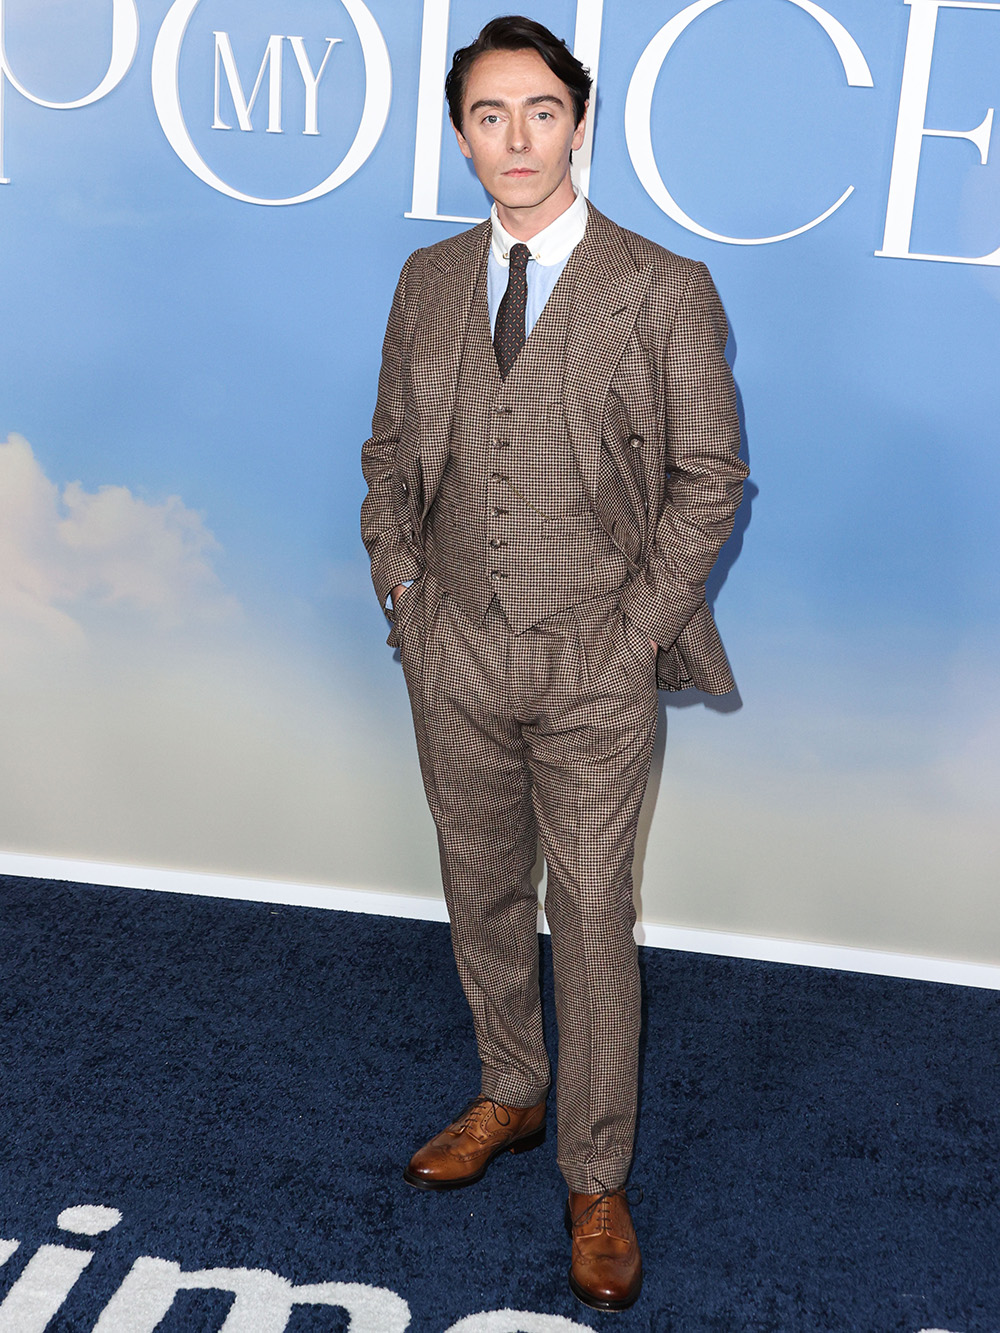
[(195, 283)]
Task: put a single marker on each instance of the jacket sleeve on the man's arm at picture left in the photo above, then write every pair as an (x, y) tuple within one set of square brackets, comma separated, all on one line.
[(387, 529)]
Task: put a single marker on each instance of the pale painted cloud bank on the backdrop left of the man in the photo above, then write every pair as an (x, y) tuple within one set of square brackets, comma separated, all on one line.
[(147, 722)]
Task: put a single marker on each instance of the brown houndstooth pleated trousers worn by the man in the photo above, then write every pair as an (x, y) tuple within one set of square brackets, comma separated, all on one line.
[(543, 735)]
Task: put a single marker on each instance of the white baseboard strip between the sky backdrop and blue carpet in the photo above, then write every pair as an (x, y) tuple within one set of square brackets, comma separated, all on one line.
[(654, 935)]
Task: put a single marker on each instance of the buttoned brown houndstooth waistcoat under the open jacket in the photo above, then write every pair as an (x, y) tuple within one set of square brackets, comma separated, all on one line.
[(511, 519)]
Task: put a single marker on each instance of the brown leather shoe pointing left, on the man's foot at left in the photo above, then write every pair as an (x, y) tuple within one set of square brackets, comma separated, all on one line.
[(461, 1154)]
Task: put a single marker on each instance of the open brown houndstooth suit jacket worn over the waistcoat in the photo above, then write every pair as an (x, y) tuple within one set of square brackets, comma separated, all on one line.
[(650, 407)]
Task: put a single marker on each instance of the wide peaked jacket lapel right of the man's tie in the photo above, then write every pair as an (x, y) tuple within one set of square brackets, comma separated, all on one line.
[(609, 290)]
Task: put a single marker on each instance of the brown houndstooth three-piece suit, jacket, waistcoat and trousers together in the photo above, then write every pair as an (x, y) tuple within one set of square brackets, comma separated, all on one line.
[(547, 732)]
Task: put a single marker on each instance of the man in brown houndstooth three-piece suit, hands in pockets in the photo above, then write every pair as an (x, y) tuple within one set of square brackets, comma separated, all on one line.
[(553, 471)]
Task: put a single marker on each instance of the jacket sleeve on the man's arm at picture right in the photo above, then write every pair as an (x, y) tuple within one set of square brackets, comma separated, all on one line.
[(705, 471)]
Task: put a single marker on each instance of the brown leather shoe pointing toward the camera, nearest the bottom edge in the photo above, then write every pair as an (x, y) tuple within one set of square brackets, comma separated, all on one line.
[(607, 1268)]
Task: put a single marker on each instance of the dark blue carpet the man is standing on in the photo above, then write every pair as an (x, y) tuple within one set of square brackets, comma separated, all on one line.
[(245, 1083)]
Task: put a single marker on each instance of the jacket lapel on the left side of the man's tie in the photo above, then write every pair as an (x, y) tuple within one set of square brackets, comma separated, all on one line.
[(446, 305)]
